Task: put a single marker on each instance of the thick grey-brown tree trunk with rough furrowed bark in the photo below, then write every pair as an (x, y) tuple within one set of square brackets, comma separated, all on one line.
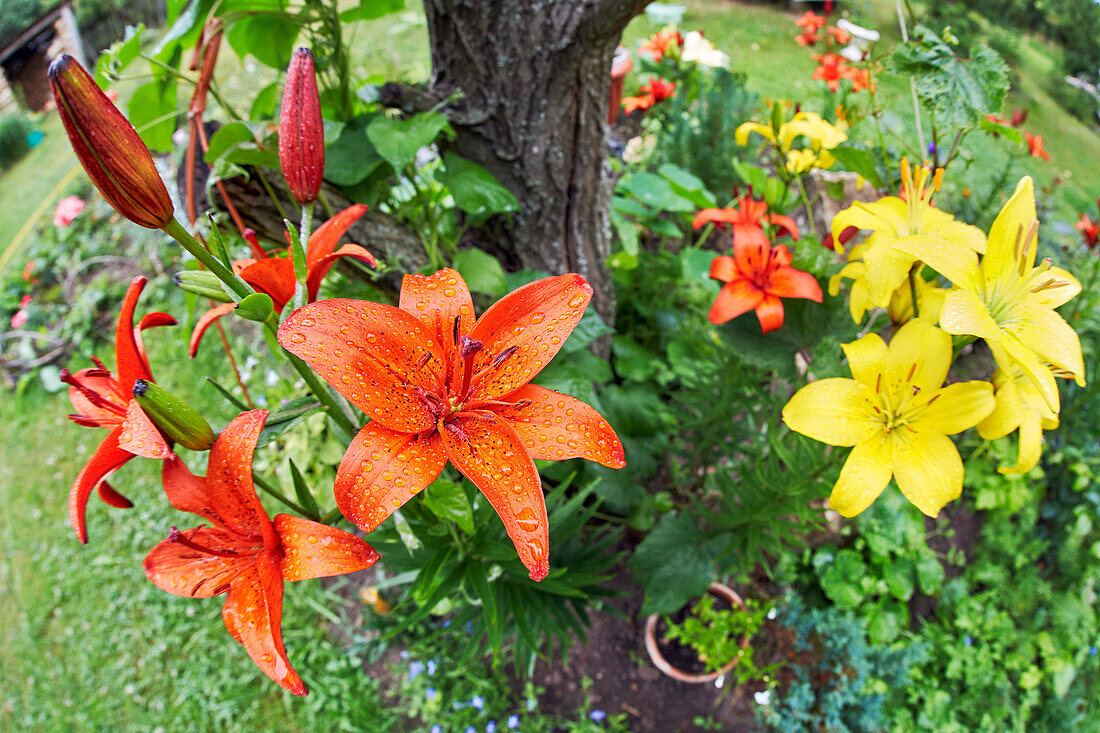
[(535, 79)]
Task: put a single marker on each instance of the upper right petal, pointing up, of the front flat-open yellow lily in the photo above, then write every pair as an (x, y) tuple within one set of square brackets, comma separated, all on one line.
[(920, 356)]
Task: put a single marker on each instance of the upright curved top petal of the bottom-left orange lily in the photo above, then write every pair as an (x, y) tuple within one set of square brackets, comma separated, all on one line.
[(229, 484)]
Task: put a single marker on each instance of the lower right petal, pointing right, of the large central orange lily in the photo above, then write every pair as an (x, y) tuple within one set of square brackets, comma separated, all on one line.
[(556, 426)]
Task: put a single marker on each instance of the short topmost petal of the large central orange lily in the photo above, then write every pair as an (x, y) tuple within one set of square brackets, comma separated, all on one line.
[(438, 300)]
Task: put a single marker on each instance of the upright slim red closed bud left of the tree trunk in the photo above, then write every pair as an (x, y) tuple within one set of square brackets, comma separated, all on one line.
[(301, 130)]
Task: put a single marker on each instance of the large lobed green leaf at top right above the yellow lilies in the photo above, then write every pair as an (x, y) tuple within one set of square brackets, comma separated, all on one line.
[(959, 93)]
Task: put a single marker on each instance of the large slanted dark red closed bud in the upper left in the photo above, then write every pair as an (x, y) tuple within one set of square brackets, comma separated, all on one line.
[(108, 147)]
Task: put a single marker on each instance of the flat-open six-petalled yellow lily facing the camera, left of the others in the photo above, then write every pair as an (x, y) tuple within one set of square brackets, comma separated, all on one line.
[(897, 415)]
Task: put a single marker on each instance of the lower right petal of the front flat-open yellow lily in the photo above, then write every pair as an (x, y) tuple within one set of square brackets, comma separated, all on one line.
[(928, 468)]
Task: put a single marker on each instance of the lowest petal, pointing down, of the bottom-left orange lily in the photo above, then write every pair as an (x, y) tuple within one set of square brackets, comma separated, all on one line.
[(254, 615)]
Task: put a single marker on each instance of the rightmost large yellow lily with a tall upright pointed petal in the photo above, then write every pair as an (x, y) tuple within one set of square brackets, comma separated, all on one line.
[(1008, 300)]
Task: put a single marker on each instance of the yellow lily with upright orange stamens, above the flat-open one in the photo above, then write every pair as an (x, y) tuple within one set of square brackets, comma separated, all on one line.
[(901, 226)]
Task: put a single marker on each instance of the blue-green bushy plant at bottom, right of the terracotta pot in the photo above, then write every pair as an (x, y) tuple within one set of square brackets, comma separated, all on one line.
[(840, 681)]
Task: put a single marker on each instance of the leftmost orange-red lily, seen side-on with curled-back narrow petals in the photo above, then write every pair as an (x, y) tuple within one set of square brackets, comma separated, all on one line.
[(104, 400)]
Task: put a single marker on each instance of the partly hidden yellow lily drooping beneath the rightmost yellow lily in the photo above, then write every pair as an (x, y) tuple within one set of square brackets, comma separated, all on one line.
[(1019, 407)]
